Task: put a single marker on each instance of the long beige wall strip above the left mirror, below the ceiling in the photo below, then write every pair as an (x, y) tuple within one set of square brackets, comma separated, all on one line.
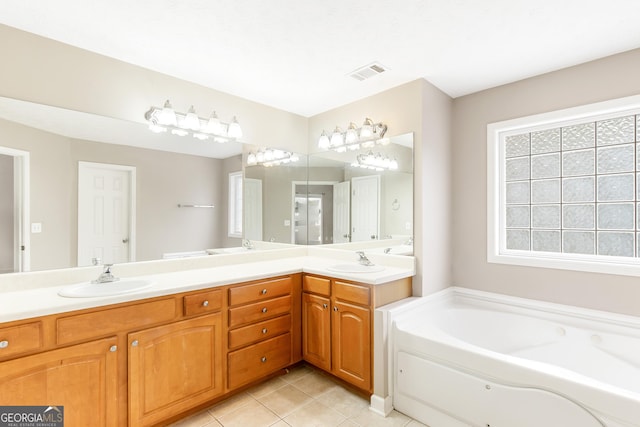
[(44, 71)]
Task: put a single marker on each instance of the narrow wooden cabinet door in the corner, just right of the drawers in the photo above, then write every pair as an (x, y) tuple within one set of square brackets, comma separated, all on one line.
[(316, 330)]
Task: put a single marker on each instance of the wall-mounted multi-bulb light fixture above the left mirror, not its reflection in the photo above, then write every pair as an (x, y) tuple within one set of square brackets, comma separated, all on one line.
[(182, 124)]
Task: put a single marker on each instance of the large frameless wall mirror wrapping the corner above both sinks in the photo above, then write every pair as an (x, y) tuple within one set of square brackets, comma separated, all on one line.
[(178, 189)]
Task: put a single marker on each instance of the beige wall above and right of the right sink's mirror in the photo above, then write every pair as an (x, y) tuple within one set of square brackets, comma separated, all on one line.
[(423, 109)]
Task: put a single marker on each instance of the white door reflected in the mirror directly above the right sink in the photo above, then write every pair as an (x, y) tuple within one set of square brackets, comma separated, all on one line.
[(365, 208)]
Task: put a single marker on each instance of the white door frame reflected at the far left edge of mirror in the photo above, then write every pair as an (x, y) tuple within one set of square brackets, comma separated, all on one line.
[(21, 208)]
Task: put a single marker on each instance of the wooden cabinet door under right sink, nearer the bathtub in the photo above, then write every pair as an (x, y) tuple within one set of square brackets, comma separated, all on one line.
[(351, 345)]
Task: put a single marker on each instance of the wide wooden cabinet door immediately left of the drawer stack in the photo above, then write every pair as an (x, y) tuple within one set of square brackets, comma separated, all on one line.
[(173, 368)]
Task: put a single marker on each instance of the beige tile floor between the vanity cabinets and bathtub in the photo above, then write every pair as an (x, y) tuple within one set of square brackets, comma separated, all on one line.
[(303, 397)]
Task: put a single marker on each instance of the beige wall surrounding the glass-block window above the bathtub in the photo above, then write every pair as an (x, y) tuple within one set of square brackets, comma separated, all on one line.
[(609, 78)]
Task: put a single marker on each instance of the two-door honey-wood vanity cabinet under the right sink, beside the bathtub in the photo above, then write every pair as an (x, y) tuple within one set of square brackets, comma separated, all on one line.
[(337, 325)]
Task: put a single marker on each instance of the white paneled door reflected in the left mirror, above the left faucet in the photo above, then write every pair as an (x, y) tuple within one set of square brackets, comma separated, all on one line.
[(106, 216)]
